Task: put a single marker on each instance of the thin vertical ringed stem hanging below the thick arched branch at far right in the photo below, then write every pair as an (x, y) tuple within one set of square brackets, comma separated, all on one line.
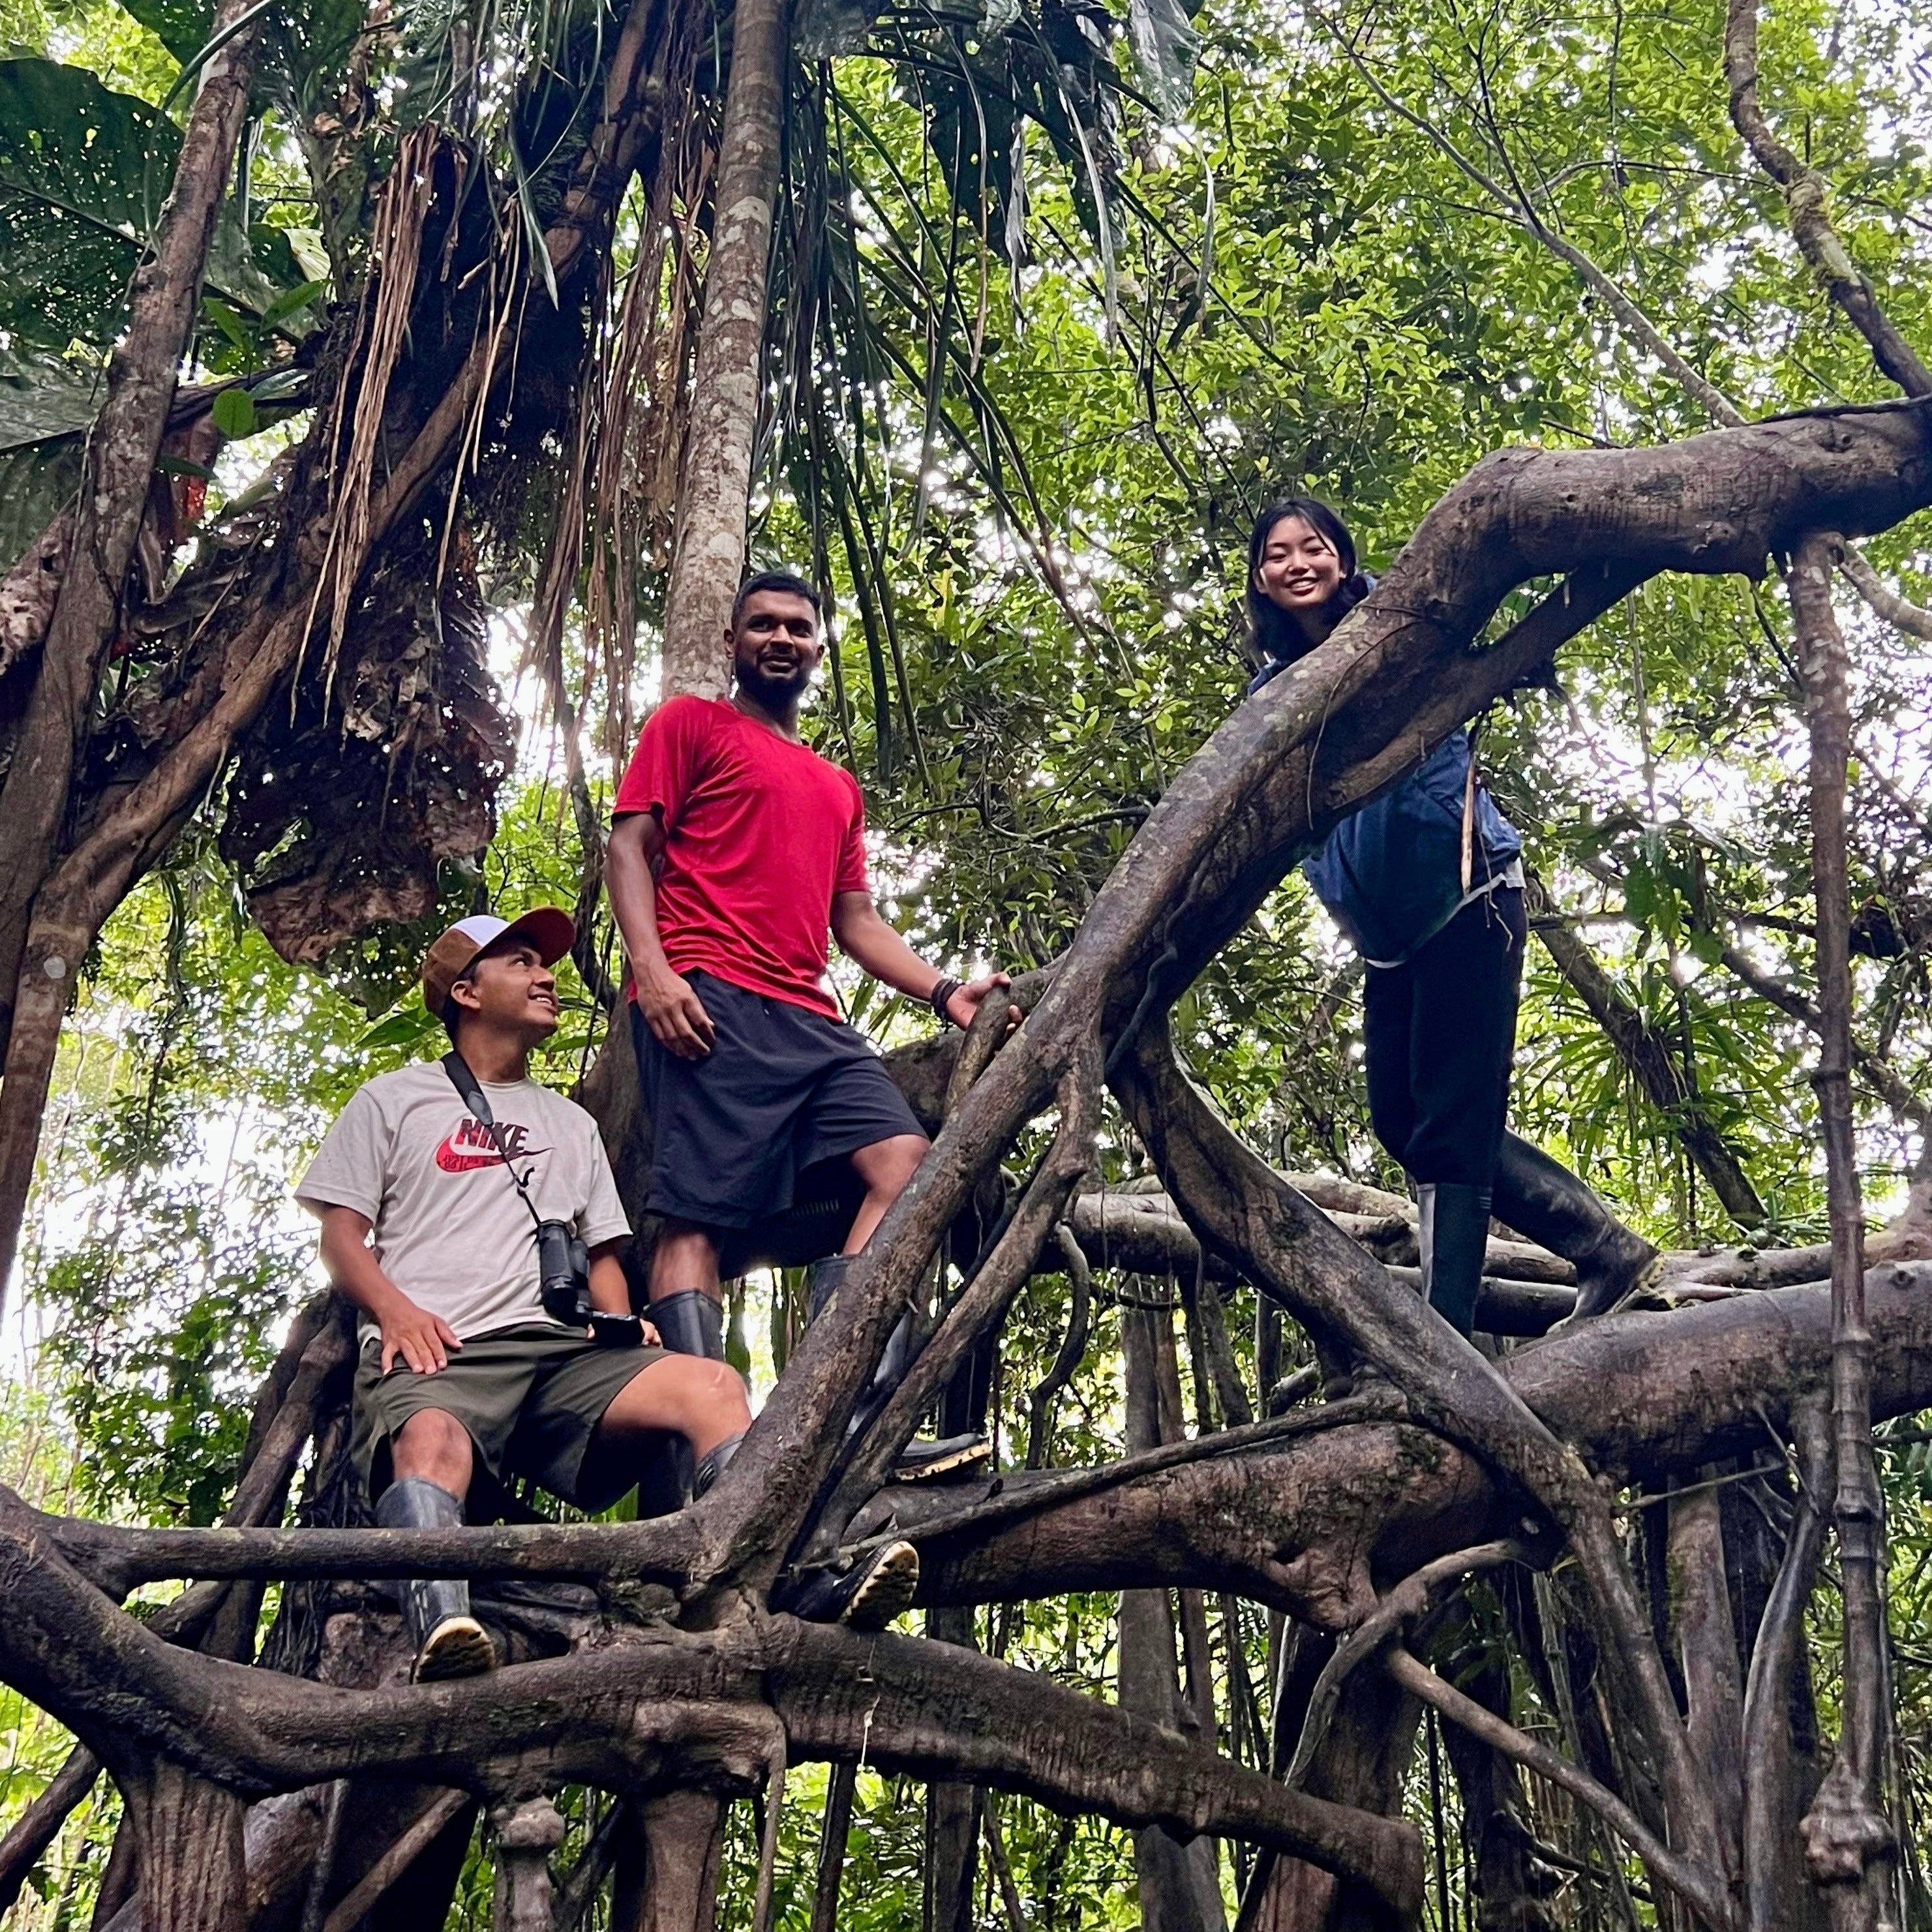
[(1848, 1840)]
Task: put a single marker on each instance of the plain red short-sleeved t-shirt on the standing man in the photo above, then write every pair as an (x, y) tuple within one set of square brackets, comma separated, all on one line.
[(760, 834)]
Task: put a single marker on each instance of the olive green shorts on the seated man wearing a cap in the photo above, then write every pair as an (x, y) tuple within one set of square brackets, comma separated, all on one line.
[(528, 1396)]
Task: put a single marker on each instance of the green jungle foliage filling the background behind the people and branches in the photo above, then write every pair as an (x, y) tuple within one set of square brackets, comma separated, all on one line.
[(1060, 298)]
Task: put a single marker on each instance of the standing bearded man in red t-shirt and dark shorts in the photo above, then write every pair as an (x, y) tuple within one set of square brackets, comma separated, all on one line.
[(735, 849)]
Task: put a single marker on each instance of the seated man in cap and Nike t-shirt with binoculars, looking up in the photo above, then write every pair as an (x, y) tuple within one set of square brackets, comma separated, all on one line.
[(430, 1226)]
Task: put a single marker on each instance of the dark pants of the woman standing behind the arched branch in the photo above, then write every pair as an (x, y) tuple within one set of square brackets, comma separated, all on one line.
[(1440, 1033)]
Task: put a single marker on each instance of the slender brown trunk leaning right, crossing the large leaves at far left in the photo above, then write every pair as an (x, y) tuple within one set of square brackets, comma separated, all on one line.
[(115, 486)]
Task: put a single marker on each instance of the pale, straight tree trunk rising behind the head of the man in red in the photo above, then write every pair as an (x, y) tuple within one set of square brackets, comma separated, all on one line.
[(708, 557)]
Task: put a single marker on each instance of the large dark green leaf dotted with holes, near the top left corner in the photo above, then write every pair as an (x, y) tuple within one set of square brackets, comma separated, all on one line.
[(84, 173)]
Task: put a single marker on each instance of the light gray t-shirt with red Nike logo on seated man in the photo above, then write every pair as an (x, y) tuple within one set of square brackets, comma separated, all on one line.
[(451, 1230)]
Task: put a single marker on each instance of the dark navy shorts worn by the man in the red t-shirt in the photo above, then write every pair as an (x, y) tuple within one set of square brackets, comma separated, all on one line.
[(780, 1093)]
